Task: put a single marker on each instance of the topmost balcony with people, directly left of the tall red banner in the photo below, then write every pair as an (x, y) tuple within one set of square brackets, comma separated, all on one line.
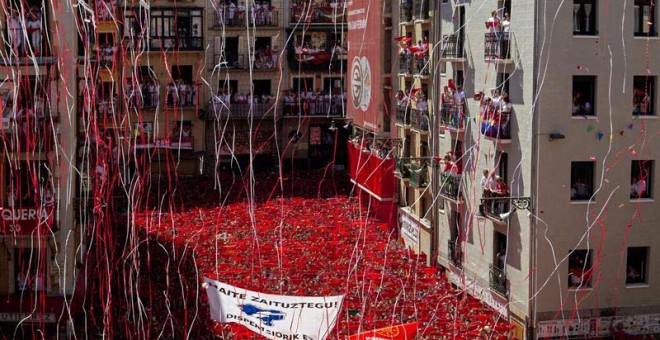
[(326, 14)]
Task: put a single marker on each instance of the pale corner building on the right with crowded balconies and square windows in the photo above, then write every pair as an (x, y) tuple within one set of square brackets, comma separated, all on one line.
[(559, 239)]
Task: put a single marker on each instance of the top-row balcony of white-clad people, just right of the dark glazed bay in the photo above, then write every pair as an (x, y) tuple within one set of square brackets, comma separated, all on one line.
[(262, 17)]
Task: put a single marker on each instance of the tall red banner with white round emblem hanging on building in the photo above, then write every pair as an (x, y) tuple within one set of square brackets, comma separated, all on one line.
[(365, 29)]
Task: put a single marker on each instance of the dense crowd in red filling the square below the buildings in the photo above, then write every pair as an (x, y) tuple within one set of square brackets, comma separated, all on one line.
[(303, 237)]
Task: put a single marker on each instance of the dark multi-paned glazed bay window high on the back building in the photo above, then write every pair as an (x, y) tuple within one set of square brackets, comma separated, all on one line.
[(179, 29)]
